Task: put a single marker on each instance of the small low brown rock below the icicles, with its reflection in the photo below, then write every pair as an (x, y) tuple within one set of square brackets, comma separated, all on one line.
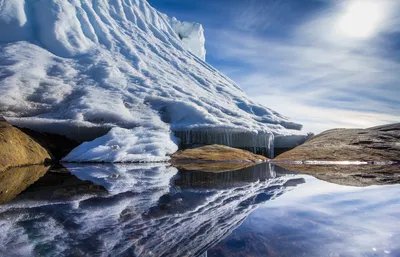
[(215, 158)]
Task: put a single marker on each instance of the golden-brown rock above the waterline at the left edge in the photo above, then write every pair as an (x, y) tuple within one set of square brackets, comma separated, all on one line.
[(18, 149)]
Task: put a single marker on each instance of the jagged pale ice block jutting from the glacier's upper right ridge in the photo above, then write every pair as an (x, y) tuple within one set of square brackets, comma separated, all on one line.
[(192, 35)]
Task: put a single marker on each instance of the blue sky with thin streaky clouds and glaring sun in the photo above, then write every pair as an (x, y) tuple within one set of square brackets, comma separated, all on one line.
[(324, 63)]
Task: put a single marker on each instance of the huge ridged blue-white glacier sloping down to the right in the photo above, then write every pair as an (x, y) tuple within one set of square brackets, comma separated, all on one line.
[(82, 67)]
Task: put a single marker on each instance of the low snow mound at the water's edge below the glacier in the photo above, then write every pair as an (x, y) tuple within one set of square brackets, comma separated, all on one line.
[(126, 145)]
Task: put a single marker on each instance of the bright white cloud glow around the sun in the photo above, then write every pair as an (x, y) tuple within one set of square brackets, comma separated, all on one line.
[(351, 23)]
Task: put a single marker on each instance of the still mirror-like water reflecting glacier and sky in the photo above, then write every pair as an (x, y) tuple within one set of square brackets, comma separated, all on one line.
[(157, 210)]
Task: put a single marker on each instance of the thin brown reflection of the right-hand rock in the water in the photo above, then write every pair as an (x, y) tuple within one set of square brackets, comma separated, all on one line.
[(350, 175)]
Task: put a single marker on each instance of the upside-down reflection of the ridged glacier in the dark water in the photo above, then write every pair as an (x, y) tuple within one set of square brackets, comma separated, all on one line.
[(149, 210)]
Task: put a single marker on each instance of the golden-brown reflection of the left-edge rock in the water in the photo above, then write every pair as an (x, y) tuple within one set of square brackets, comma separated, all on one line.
[(15, 180)]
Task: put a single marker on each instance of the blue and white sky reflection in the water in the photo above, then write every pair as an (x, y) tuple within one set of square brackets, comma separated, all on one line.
[(320, 219)]
